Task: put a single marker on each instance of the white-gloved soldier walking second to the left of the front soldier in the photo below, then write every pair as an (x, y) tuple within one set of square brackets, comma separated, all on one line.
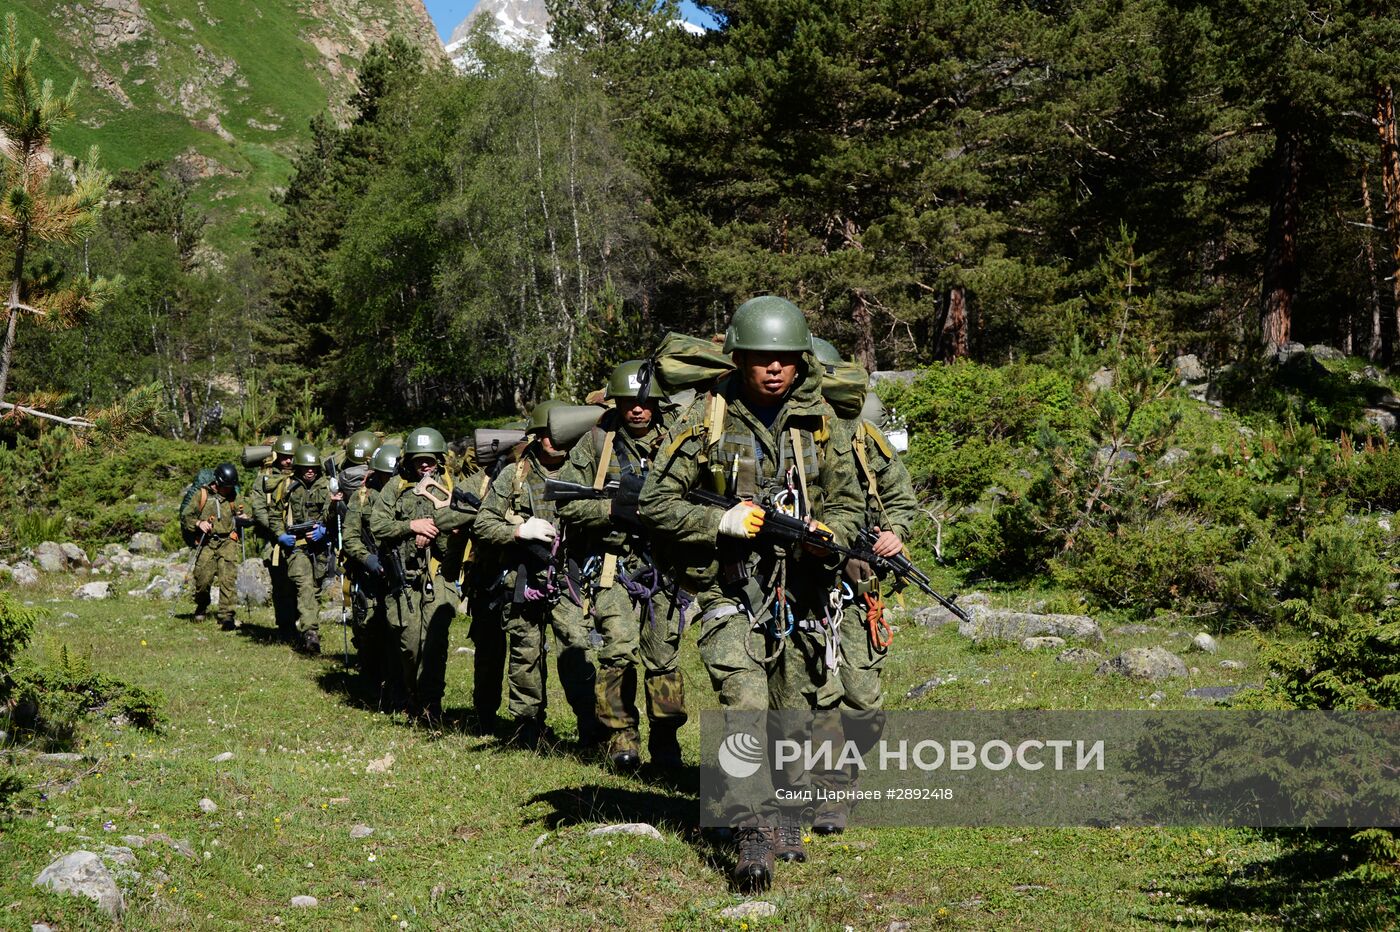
[(534, 588)]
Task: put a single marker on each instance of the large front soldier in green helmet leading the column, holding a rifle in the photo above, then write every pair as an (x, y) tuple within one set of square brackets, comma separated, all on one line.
[(762, 437)]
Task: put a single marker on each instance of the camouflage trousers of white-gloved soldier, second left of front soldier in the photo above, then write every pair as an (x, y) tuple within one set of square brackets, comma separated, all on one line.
[(526, 626)]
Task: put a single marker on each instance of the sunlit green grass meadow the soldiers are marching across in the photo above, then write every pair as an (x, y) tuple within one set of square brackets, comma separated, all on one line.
[(470, 835)]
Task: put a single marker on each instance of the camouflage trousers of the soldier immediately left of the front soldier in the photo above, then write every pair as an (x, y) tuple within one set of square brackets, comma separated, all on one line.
[(631, 640)]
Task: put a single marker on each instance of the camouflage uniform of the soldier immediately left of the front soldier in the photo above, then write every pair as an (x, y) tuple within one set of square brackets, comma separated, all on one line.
[(633, 608)]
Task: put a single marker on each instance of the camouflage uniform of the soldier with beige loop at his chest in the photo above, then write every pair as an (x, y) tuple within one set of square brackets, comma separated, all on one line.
[(421, 607)]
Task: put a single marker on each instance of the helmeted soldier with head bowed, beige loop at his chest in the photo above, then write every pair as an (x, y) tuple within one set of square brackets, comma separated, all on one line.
[(421, 528)]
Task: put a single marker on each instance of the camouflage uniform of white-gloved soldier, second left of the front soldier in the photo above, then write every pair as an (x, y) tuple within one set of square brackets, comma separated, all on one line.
[(517, 495)]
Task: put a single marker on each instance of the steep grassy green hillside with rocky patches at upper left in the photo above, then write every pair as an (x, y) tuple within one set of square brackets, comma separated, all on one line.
[(227, 87)]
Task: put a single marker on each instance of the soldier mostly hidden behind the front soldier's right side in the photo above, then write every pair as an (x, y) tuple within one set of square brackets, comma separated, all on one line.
[(891, 509)]
